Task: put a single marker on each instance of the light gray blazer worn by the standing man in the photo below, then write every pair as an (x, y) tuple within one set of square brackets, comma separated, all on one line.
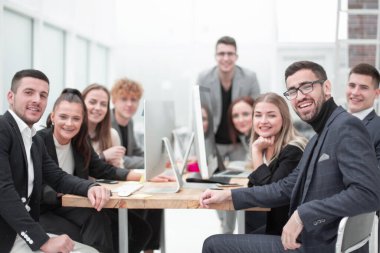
[(244, 83)]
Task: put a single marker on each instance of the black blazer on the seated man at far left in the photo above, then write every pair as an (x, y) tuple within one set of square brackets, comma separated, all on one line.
[(14, 218)]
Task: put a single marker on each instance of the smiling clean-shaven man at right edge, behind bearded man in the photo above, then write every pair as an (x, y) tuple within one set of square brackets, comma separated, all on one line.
[(361, 92)]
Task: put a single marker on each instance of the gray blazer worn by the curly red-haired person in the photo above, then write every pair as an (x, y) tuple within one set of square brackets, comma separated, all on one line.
[(134, 158)]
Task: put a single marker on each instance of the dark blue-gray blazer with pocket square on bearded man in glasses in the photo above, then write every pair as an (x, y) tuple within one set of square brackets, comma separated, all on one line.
[(341, 180)]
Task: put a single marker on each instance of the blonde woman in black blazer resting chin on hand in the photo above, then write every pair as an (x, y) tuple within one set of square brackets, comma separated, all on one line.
[(276, 148)]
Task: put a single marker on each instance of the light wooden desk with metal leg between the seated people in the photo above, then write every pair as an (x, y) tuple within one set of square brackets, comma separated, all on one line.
[(186, 198)]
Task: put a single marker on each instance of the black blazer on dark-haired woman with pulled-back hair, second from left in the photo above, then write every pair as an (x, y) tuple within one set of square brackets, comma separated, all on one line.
[(97, 168)]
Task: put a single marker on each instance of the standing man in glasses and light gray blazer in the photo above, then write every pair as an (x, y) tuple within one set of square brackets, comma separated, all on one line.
[(227, 82)]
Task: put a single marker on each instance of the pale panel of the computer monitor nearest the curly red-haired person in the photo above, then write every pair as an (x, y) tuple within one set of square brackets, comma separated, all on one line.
[(158, 123)]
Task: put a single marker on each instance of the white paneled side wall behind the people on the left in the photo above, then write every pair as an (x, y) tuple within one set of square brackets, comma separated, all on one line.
[(68, 40)]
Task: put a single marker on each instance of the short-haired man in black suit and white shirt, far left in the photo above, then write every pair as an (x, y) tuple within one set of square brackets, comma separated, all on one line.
[(24, 163)]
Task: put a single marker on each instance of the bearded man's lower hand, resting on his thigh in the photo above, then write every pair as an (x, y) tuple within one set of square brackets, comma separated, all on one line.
[(291, 231)]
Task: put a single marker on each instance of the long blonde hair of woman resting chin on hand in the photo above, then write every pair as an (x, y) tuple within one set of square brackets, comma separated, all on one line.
[(288, 135)]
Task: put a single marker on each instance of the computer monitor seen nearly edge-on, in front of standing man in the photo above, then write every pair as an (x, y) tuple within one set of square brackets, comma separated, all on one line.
[(205, 147)]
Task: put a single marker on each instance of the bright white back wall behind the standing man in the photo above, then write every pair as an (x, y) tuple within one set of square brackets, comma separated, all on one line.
[(165, 44)]
